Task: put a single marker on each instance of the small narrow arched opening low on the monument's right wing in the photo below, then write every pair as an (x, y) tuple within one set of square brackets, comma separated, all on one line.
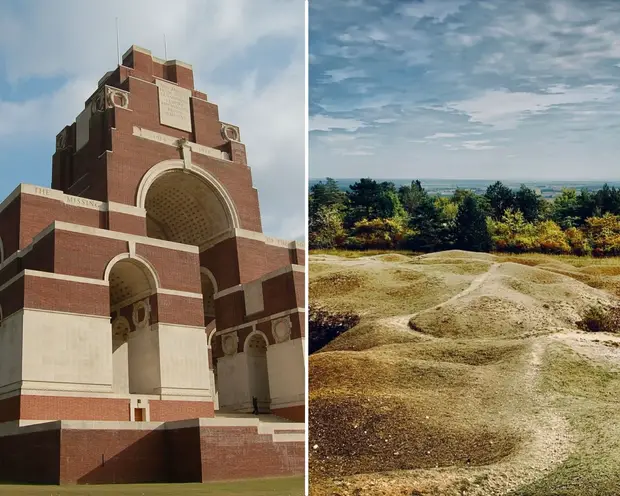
[(255, 349)]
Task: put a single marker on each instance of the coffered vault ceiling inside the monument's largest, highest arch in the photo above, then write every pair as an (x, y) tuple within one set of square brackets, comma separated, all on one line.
[(181, 207)]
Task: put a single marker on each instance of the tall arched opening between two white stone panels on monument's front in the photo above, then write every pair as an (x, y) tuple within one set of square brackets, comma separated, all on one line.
[(135, 349)]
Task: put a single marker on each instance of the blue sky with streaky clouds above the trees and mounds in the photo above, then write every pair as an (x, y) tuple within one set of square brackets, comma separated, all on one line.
[(461, 89)]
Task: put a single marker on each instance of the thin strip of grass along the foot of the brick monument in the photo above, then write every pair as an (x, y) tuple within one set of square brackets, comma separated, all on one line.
[(286, 486)]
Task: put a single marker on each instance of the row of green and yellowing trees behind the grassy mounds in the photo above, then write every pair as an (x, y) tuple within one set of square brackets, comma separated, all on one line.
[(378, 215)]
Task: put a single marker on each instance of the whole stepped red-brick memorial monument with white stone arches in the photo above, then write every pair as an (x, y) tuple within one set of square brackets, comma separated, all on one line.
[(143, 313)]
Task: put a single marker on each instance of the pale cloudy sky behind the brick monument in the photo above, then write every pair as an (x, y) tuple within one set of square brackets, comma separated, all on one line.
[(248, 56)]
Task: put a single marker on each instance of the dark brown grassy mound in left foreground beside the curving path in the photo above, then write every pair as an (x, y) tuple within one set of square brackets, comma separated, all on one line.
[(356, 435)]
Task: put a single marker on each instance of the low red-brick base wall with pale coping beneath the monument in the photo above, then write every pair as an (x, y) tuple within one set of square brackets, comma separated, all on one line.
[(198, 450)]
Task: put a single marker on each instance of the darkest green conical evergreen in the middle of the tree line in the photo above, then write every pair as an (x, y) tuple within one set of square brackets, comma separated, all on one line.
[(471, 226)]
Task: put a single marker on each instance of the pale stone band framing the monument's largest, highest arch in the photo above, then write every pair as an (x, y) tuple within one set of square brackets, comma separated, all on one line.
[(162, 168)]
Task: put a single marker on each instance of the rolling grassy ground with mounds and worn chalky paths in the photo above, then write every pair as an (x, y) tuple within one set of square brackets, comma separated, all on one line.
[(466, 375)]
